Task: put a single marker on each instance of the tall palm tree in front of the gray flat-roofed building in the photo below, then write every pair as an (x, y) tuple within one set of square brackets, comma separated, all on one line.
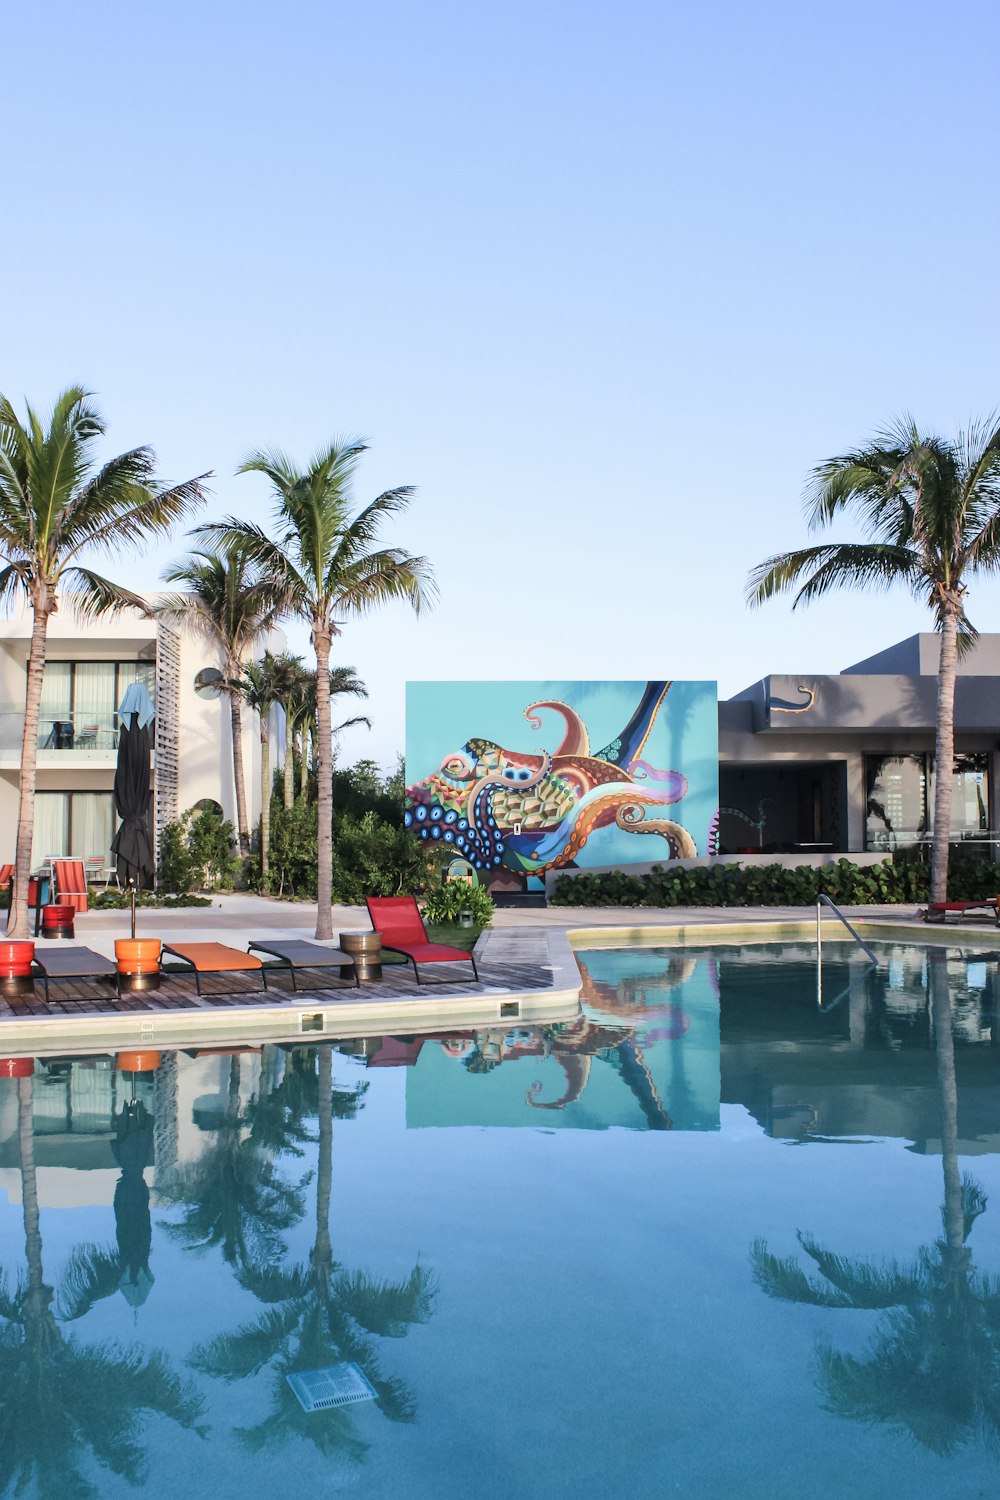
[(930, 511)]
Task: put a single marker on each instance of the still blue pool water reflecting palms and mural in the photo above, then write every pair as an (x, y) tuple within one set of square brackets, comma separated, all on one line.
[(705, 1240)]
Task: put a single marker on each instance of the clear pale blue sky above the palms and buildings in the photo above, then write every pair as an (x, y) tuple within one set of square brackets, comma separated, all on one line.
[(603, 281)]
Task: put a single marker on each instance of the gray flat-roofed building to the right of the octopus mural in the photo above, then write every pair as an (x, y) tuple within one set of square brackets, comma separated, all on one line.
[(846, 764)]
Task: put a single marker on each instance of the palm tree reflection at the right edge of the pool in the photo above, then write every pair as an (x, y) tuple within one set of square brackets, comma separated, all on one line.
[(933, 1366)]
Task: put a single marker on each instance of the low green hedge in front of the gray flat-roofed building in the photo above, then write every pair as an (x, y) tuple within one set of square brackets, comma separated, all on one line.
[(774, 886)]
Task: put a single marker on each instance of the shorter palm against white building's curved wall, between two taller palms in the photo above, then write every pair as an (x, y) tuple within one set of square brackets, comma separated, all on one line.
[(229, 604)]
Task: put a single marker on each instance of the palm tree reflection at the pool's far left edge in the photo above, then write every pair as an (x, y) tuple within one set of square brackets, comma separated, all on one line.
[(61, 1399)]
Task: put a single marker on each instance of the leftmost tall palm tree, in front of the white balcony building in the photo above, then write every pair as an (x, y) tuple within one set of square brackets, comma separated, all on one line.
[(55, 506)]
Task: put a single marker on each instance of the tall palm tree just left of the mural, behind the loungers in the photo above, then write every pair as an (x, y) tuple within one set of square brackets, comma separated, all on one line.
[(326, 560)]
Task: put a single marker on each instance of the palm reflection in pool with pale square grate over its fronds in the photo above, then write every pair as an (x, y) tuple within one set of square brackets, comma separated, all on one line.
[(320, 1315)]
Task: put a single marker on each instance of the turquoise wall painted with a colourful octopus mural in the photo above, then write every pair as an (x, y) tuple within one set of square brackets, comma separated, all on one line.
[(527, 778)]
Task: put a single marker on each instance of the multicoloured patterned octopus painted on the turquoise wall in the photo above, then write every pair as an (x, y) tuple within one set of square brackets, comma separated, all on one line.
[(534, 812)]
